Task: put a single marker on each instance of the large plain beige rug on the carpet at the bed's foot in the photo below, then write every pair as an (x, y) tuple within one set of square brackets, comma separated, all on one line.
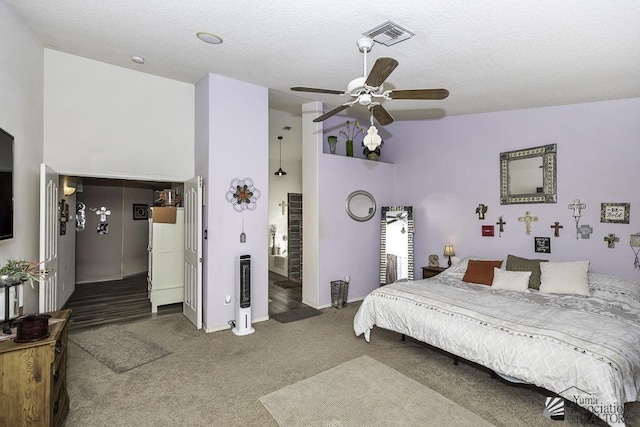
[(361, 392)]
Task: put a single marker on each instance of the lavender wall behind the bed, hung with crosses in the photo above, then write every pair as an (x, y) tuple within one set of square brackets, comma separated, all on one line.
[(446, 167)]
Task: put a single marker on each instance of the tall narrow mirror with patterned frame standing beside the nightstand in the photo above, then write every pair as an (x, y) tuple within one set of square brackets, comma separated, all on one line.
[(396, 244)]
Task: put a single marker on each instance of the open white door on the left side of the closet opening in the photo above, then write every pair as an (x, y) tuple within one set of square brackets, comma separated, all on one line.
[(49, 179)]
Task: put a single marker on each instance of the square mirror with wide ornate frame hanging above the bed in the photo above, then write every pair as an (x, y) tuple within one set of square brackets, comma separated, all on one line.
[(528, 176)]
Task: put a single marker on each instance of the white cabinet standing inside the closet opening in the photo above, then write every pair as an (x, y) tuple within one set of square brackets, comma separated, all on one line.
[(166, 261)]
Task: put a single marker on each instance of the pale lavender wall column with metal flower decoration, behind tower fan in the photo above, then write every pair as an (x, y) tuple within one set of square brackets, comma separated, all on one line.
[(237, 130)]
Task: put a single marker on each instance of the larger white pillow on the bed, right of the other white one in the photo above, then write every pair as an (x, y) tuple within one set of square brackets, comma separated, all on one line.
[(565, 278)]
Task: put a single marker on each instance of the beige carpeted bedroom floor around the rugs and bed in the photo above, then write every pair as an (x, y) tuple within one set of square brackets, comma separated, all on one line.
[(218, 378)]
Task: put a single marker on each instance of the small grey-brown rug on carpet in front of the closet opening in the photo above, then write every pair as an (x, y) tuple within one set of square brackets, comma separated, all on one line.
[(118, 348)]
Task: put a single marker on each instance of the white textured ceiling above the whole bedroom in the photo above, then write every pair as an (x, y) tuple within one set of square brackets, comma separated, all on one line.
[(492, 55)]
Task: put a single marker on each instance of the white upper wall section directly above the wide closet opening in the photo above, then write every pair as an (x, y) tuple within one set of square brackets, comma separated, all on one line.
[(108, 121)]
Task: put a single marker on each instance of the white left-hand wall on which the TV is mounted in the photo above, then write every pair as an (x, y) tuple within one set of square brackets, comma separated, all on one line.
[(21, 86)]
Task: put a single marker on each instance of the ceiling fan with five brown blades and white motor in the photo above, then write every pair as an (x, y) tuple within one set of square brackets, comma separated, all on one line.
[(368, 89)]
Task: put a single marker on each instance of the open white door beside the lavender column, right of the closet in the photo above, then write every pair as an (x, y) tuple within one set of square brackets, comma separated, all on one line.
[(192, 305)]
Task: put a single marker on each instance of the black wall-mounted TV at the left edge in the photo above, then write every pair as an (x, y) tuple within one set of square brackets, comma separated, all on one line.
[(6, 185)]
